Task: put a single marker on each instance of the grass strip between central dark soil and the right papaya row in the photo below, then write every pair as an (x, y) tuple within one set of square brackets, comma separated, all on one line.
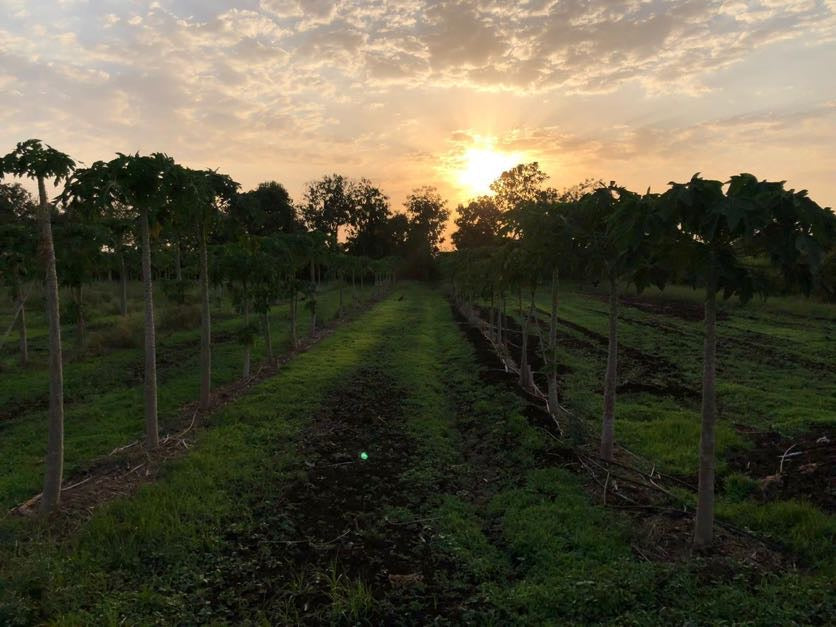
[(558, 558)]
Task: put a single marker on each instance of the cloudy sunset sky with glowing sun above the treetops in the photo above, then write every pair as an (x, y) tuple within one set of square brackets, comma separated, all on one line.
[(417, 92)]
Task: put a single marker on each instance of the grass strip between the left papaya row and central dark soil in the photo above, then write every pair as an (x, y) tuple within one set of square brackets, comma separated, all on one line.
[(148, 553)]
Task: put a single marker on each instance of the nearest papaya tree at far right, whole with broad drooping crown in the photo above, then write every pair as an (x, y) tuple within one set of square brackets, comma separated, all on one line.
[(716, 227)]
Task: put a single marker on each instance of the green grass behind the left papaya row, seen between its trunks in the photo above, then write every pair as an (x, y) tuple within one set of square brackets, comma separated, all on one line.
[(103, 390)]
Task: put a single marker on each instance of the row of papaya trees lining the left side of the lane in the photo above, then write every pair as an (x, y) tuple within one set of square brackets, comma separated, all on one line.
[(113, 207)]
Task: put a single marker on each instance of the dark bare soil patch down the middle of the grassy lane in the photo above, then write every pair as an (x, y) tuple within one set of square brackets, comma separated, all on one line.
[(325, 549)]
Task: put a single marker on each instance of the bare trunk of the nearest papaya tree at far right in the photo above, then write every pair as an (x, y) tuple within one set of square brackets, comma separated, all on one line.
[(704, 528)]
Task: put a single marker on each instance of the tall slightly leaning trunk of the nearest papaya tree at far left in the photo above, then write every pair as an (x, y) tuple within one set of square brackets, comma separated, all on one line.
[(55, 436)]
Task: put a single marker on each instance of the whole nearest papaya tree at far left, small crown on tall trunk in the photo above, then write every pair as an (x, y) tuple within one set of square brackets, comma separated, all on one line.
[(33, 159)]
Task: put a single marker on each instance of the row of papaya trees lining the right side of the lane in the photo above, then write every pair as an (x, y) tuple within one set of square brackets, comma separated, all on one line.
[(740, 237)]
